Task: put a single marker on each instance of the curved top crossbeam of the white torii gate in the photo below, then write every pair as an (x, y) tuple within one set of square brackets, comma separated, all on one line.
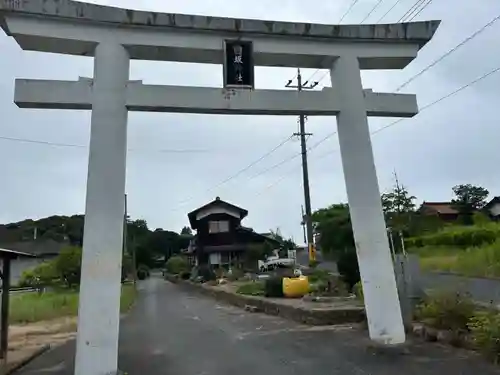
[(199, 38)]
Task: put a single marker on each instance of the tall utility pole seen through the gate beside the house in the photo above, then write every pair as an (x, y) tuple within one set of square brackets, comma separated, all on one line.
[(305, 171)]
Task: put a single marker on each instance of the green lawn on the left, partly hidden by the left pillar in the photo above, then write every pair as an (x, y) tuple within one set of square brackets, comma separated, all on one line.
[(34, 307)]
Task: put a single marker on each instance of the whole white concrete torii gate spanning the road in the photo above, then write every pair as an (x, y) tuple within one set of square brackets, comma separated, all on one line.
[(113, 36)]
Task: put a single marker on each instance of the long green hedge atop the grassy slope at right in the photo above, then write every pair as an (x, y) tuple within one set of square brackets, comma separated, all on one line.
[(462, 237)]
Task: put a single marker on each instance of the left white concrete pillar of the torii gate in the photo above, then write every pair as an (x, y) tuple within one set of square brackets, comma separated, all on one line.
[(99, 315)]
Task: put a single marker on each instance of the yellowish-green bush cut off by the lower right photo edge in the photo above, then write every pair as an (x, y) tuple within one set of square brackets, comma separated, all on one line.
[(485, 332)]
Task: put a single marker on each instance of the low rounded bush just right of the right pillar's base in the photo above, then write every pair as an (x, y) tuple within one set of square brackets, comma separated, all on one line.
[(446, 310)]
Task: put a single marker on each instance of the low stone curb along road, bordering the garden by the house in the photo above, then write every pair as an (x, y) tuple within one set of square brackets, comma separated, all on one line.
[(315, 317)]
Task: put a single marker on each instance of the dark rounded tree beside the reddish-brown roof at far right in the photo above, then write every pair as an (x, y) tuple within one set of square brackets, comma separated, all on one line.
[(468, 199)]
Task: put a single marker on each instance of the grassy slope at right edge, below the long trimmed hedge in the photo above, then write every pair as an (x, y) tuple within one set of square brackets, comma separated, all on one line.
[(483, 261)]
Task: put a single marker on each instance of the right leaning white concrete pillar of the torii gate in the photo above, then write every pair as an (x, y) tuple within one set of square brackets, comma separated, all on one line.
[(377, 272)]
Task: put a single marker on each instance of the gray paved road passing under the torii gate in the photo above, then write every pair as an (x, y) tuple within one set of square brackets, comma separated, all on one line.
[(171, 332)]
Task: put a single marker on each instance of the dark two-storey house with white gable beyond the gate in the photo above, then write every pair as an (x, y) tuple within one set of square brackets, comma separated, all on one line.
[(220, 238)]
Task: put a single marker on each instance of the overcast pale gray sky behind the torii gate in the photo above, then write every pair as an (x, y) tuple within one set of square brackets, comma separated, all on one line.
[(453, 142)]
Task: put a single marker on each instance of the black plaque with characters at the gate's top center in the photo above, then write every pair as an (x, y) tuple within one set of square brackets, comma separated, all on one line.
[(238, 64)]
